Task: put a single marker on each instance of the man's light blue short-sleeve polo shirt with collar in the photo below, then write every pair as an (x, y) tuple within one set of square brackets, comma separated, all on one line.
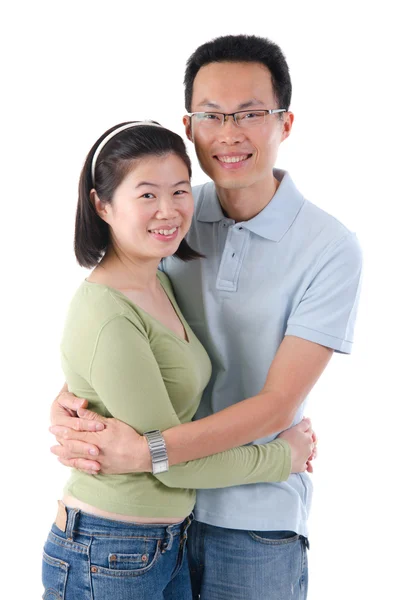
[(291, 270)]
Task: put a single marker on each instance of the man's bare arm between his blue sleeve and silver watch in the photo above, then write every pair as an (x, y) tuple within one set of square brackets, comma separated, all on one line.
[(295, 369)]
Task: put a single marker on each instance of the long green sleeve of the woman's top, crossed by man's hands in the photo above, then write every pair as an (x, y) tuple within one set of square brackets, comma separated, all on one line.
[(127, 378)]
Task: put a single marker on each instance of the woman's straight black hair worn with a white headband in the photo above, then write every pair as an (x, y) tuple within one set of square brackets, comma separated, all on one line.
[(92, 234)]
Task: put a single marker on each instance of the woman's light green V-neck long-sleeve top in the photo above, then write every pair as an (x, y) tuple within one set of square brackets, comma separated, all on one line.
[(131, 367)]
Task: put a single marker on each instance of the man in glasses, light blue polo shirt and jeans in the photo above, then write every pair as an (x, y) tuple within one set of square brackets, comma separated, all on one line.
[(274, 297)]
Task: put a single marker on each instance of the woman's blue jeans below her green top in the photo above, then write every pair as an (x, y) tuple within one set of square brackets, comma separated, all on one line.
[(102, 559)]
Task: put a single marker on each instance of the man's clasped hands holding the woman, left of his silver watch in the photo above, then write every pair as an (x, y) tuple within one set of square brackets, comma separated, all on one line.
[(83, 435)]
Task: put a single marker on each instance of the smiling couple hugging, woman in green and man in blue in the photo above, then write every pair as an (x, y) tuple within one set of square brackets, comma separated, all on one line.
[(191, 347)]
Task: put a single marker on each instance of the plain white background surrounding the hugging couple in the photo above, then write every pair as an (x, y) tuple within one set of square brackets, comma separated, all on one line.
[(72, 70)]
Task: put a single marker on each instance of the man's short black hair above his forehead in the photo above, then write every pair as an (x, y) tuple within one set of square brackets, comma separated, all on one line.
[(241, 48)]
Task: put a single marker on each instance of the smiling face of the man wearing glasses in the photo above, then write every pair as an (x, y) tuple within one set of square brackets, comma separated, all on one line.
[(235, 157)]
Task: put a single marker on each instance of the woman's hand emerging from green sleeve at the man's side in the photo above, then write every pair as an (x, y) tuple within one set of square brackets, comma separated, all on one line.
[(303, 442)]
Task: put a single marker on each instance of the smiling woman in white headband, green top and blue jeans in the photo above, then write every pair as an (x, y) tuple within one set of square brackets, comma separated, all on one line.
[(127, 349)]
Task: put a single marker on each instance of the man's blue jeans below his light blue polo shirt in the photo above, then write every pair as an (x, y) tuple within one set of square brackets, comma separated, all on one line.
[(232, 564)]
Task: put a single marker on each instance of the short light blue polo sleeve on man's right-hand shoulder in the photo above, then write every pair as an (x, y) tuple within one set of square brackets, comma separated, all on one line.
[(326, 313)]
